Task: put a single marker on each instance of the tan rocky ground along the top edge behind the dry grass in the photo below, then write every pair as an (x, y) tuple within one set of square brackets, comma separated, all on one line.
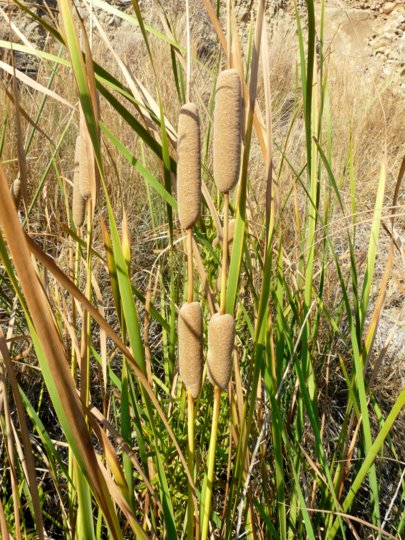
[(369, 32)]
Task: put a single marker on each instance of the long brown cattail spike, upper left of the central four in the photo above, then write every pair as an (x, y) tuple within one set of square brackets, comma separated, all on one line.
[(189, 166)]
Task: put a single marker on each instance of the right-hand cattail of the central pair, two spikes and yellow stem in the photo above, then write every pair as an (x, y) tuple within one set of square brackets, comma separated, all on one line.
[(221, 330)]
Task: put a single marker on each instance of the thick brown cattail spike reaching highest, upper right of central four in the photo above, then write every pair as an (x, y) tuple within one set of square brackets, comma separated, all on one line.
[(227, 130)]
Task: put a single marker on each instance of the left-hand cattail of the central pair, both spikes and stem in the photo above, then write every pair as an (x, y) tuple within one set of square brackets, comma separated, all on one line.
[(190, 316)]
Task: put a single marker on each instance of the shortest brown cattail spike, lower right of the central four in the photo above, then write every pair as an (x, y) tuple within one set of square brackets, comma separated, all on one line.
[(221, 337)]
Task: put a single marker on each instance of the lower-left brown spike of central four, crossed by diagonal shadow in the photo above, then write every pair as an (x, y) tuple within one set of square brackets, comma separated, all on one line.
[(190, 347)]
